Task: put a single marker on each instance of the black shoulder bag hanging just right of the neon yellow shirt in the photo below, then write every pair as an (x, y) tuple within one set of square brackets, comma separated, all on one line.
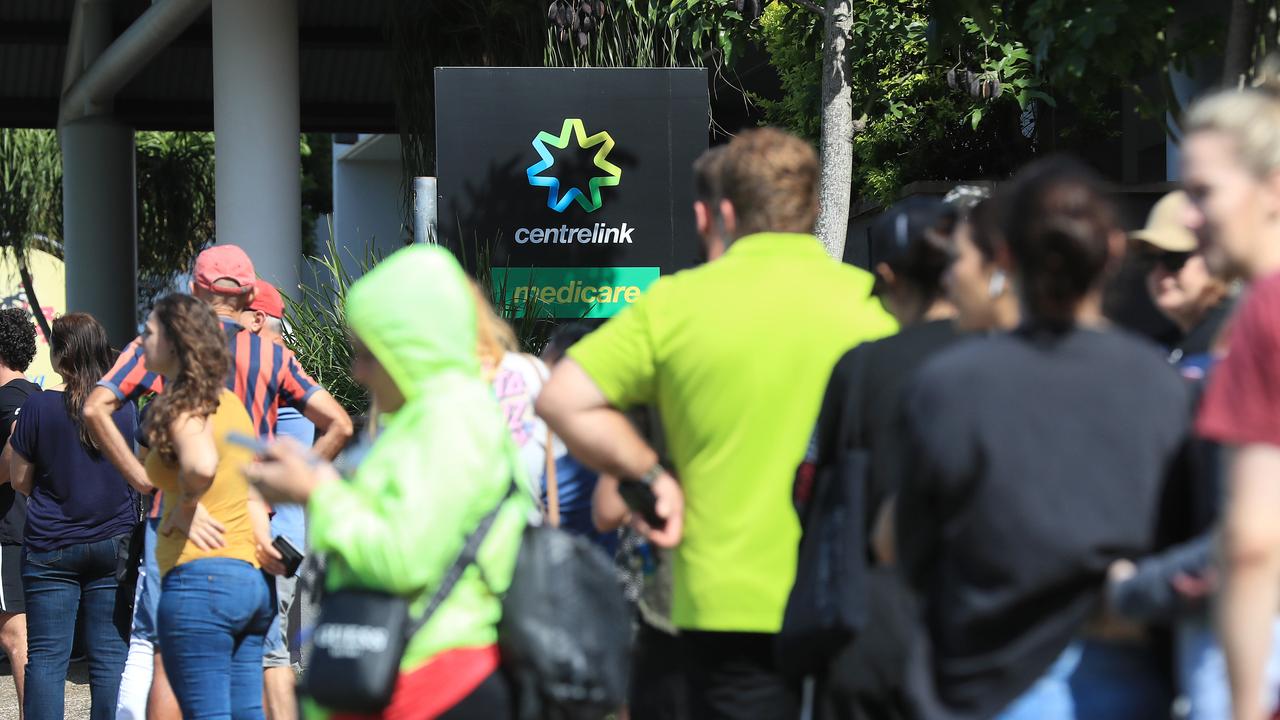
[(828, 605)]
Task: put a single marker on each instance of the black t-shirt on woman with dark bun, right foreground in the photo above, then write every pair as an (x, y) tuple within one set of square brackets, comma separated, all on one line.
[(1037, 462)]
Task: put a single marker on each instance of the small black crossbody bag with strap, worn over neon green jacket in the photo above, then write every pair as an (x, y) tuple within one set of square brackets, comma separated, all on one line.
[(362, 636)]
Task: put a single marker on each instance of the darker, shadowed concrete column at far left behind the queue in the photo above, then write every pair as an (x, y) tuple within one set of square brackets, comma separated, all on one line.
[(100, 224)]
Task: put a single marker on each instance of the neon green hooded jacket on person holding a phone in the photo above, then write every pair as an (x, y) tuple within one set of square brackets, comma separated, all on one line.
[(440, 466)]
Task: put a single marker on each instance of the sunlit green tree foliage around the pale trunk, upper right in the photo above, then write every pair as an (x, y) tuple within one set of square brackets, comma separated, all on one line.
[(972, 89)]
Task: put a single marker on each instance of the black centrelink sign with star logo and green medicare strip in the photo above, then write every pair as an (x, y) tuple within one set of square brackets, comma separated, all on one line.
[(574, 185)]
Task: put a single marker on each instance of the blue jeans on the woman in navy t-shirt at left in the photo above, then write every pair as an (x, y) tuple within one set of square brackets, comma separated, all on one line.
[(60, 585)]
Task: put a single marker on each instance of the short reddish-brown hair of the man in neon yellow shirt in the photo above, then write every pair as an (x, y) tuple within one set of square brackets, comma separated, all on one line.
[(771, 179)]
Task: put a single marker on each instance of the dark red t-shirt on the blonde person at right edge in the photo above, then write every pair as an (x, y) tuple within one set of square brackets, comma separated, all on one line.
[(1242, 403)]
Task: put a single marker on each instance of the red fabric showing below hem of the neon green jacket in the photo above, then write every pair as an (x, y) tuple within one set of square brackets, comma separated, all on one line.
[(435, 689)]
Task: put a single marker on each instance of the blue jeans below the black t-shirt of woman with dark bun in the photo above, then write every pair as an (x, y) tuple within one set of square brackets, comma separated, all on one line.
[(1098, 681)]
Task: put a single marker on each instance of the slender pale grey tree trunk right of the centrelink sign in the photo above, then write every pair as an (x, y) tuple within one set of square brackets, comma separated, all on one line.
[(838, 130)]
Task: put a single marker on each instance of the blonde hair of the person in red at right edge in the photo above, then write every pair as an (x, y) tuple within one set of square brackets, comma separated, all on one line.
[(1251, 117)]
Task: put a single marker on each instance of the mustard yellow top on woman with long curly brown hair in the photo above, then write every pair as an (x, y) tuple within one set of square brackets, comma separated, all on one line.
[(227, 499)]
